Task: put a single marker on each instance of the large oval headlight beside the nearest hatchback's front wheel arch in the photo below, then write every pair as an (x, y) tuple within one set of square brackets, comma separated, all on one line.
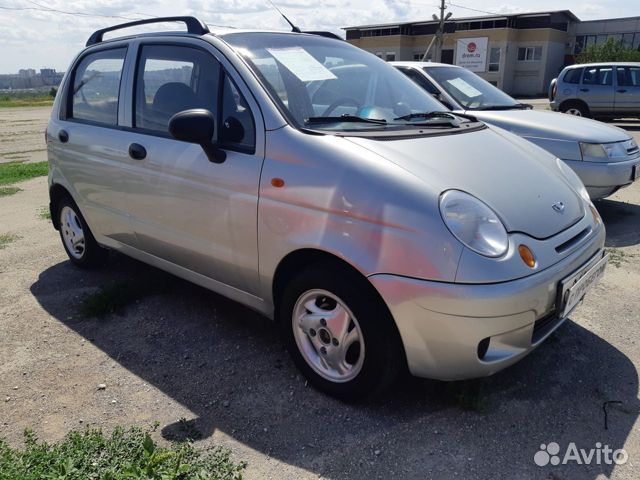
[(473, 223)]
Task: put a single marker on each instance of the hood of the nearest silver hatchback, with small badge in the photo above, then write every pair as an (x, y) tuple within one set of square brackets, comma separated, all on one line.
[(518, 180)]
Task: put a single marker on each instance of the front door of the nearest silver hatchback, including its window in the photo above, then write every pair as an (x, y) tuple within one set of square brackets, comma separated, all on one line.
[(184, 208)]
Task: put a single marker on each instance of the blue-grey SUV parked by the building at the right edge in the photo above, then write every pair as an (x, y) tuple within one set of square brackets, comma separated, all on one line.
[(599, 90)]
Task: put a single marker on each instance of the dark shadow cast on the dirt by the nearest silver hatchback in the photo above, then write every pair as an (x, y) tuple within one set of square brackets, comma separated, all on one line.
[(227, 365)]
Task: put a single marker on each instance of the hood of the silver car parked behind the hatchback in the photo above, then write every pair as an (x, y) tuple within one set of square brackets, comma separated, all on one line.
[(552, 125)]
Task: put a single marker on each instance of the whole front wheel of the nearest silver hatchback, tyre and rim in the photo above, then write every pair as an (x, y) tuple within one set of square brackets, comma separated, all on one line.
[(340, 333)]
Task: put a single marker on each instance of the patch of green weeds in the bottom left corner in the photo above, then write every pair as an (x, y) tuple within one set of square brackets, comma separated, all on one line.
[(127, 454)]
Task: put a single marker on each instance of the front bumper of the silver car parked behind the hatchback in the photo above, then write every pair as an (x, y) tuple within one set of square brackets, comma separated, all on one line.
[(603, 179)]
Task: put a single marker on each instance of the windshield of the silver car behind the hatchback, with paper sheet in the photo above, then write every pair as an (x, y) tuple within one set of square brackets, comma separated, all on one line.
[(469, 90)]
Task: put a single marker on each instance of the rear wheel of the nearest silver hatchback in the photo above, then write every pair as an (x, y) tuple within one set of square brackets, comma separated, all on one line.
[(77, 239)]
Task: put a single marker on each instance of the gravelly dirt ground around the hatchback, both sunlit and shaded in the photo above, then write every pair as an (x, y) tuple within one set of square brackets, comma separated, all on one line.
[(207, 368)]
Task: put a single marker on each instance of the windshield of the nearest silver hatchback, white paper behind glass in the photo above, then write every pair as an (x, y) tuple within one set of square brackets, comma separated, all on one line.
[(327, 84)]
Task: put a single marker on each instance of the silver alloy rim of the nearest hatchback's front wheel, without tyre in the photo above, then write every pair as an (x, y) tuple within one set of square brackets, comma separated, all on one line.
[(328, 336)]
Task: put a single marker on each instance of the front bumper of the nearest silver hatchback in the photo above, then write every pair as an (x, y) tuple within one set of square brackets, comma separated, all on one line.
[(445, 326)]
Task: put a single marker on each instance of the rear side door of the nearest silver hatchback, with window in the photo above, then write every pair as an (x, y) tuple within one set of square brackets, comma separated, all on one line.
[(86, 141)]
